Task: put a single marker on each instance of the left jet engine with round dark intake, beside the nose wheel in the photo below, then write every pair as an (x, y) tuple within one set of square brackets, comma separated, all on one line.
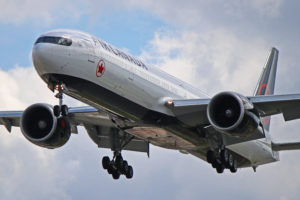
[(40, 126)]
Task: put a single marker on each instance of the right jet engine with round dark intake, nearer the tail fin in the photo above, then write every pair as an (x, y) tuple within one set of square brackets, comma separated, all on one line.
[(229, 113)]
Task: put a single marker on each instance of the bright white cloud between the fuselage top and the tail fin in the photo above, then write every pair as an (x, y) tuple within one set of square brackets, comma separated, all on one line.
[(231, 62)]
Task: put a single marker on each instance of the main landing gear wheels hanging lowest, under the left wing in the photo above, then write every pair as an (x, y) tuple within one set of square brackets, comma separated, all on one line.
[(117, 166)]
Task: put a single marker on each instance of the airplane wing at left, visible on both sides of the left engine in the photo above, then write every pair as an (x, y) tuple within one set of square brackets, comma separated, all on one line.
[(97, 123)]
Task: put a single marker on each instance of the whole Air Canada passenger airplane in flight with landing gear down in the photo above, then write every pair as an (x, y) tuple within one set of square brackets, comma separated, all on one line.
[(131, 104)]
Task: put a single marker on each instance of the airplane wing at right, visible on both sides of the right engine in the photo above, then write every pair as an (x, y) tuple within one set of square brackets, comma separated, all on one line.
[(193, 111)]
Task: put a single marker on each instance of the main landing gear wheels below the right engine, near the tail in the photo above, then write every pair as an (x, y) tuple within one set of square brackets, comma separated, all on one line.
[(222, 159)]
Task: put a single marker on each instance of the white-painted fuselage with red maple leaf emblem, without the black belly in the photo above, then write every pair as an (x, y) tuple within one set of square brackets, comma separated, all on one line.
[(97, 62)]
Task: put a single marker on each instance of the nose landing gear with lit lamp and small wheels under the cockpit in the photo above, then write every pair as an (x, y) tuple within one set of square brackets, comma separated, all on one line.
[(60, 110)]
